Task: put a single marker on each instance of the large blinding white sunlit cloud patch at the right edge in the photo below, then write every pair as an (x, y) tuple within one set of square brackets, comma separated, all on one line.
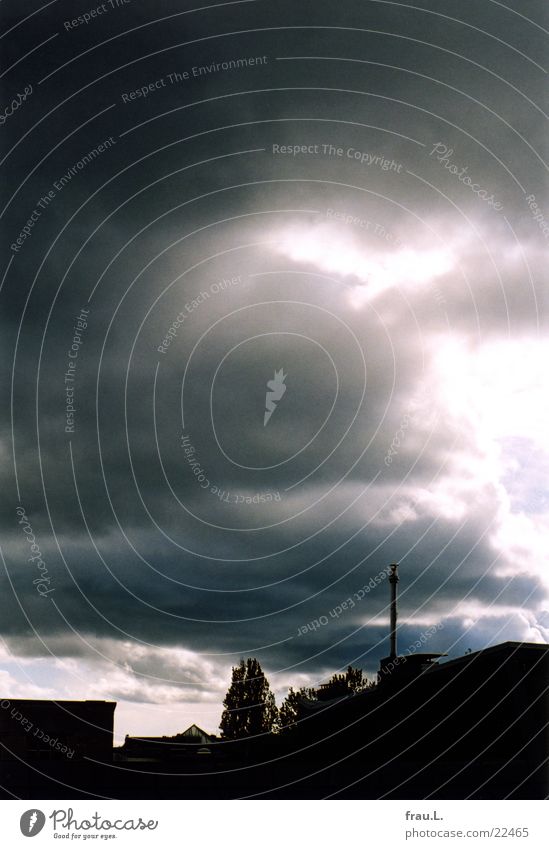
[(494, 394)]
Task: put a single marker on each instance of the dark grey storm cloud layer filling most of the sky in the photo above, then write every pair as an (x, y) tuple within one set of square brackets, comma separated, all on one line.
[(166, 575)]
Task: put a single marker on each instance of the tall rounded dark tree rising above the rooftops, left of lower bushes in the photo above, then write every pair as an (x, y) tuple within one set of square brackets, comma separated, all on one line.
[(250, 706)]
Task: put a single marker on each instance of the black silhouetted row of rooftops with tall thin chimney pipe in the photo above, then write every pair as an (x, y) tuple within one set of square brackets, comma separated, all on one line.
[(476, 726)]
